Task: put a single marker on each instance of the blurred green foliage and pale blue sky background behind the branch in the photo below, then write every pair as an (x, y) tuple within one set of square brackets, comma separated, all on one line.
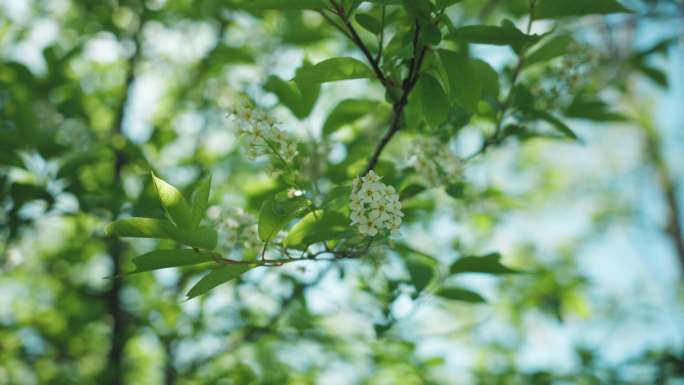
[(94, 94)]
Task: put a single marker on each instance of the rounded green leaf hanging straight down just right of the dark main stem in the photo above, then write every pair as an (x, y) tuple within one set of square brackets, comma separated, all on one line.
[(465, 86)]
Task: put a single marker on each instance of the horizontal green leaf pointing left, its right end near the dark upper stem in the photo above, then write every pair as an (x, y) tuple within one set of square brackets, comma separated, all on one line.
[(330, 70)]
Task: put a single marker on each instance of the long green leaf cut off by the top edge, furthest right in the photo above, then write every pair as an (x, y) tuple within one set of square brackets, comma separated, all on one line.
[(551, 9)]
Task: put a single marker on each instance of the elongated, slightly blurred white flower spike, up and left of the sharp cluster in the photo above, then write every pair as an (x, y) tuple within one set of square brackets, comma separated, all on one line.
[(263, 137)]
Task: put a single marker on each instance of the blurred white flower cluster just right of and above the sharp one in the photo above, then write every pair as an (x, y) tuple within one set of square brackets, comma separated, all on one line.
[(434, 162)]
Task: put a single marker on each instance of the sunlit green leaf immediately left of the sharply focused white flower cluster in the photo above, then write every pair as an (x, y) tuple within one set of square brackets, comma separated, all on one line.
[(318, 227)]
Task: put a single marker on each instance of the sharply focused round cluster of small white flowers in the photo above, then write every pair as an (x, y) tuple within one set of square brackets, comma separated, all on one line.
[(374, 206)]
